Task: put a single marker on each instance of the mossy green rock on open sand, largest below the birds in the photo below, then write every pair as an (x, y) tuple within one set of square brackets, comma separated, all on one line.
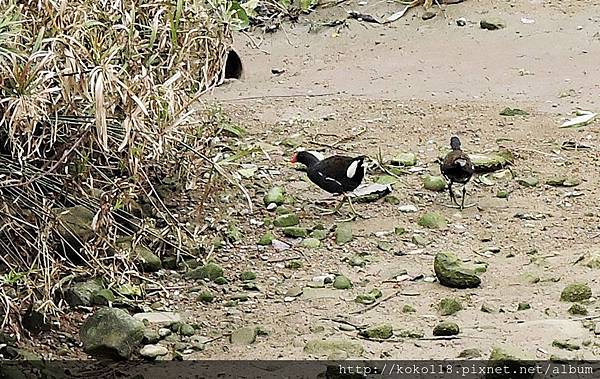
[(451, 272)]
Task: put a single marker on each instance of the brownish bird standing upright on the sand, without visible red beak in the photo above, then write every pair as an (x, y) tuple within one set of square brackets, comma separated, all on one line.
[(457, 168)]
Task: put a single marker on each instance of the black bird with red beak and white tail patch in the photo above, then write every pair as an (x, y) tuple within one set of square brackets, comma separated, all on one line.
[(337, 174)]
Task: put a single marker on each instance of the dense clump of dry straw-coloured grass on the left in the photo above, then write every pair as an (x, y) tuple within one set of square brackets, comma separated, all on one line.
[(95, 109)]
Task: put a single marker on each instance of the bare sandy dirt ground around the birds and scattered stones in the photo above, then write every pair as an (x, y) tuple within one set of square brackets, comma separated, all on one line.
[(409, 86)]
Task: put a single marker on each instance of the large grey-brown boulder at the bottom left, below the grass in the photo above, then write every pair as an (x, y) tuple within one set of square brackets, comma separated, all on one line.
[(111, 332)]
